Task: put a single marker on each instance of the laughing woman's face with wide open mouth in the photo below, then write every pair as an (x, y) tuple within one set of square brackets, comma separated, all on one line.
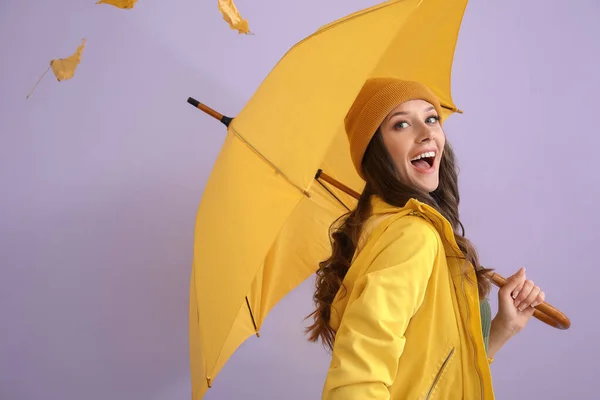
[(414, 138)]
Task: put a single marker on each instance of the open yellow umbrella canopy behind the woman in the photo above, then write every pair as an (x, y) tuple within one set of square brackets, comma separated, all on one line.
[(263, 220)]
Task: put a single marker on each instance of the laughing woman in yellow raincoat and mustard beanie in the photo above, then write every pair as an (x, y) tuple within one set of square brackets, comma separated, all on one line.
[(401, 302)]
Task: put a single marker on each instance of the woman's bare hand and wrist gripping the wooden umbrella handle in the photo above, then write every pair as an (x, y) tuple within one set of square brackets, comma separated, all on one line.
[(516, 302)]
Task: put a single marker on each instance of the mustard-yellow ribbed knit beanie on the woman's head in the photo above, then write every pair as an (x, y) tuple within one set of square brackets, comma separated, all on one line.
[(377, 98)]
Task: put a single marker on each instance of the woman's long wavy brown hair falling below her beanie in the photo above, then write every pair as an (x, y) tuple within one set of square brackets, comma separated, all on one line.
[(382, 180)]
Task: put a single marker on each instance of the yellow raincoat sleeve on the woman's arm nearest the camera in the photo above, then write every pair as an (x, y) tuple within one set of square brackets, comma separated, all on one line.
[(370, 339)]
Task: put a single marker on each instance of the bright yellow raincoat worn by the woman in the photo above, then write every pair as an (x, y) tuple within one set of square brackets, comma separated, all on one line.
[(409, 325)]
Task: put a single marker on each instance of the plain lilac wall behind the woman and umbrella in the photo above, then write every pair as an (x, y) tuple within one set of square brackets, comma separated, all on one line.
[(100, 178)]
